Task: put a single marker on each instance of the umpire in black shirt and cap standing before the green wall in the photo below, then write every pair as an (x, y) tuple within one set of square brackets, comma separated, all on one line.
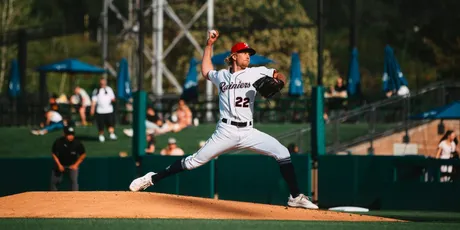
[(68, 153)]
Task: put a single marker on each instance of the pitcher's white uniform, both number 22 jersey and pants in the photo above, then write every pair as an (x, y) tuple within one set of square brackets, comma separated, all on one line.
[(236, 104)]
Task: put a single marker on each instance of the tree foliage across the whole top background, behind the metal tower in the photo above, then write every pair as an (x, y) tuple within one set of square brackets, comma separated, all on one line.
[(423, 34)]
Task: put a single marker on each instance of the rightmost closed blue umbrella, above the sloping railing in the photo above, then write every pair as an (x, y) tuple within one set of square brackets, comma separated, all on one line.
[(393, 77)]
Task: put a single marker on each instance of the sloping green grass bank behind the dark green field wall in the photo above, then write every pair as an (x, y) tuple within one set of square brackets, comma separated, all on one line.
[(18, 142)]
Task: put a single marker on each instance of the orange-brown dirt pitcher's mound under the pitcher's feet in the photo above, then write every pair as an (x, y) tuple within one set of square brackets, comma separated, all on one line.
[(153, 205)]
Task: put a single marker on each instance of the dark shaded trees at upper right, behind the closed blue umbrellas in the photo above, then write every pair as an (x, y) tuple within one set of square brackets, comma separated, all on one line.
[(423, 34)]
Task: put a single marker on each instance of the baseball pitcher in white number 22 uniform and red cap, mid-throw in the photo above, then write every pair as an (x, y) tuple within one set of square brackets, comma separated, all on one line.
[(237, 87)]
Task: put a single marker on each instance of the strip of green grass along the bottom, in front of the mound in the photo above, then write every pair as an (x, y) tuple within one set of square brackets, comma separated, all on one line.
[(139, 224)]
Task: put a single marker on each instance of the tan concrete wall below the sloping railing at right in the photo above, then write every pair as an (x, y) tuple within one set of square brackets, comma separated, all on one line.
[(425, 137)]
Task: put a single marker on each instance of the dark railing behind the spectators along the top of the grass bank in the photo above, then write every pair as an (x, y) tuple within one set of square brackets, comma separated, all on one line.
[(30, 112)]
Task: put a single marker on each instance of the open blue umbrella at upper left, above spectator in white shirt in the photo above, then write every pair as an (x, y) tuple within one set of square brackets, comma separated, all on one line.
[(70, 65)]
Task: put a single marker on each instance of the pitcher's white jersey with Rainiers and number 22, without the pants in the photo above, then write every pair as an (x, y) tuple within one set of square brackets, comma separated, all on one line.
[(236, 93)]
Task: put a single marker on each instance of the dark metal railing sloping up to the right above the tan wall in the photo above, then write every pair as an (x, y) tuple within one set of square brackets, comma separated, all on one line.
[(383, 118)]
